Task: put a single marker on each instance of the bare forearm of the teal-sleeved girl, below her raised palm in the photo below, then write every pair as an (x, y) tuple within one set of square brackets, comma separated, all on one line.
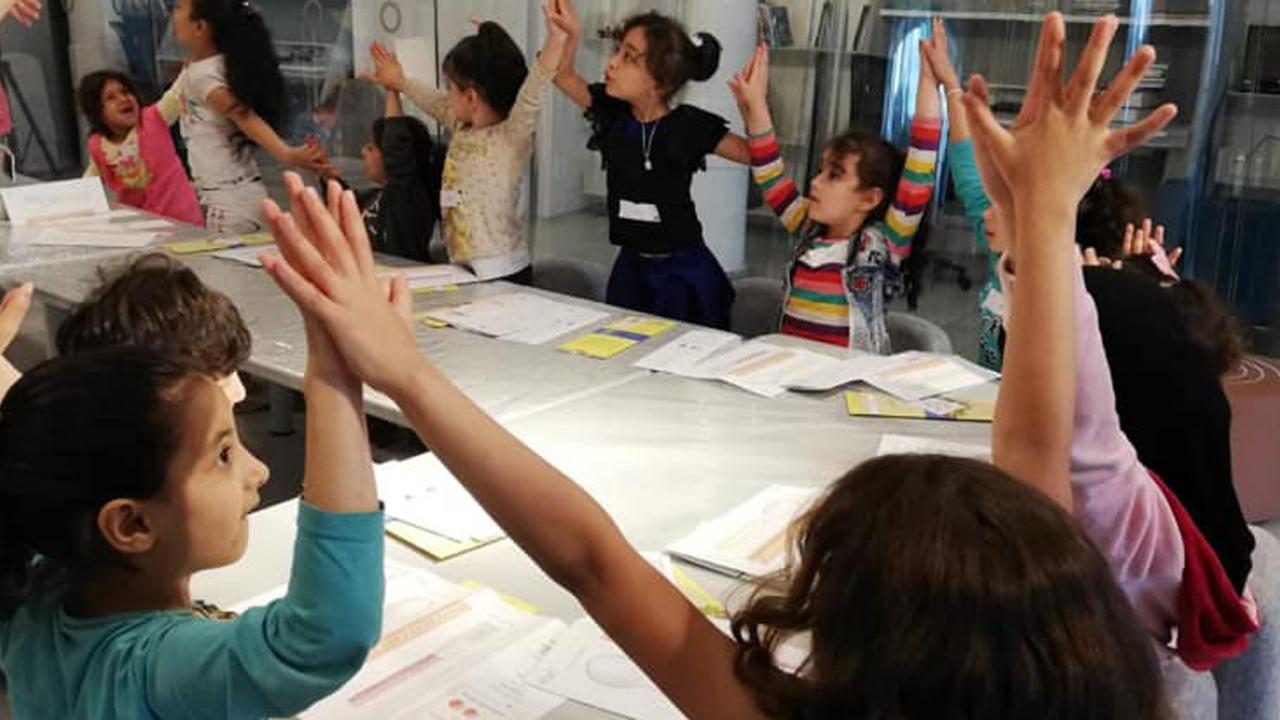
[(340, 471)]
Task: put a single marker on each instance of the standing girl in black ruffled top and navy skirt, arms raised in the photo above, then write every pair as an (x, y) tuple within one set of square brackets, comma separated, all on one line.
[(651, 153)]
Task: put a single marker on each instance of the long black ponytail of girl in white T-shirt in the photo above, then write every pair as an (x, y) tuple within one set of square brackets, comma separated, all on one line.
[(253, 70)]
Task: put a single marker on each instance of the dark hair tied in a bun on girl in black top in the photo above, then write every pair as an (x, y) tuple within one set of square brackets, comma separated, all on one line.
[(673, 57)]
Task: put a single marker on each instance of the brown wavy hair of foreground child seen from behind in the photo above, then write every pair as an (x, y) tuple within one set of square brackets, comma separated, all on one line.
[(941, 589)]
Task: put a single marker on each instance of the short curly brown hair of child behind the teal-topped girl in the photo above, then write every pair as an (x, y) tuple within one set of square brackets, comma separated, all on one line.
[(158, 303)]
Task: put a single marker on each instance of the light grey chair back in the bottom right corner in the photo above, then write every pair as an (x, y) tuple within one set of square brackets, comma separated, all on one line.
[(1249, 687)]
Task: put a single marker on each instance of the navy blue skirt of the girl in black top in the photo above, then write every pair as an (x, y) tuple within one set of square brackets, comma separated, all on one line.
[(688, 285)]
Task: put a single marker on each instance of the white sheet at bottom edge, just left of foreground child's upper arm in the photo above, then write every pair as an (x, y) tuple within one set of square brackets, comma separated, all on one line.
[(587, 667)]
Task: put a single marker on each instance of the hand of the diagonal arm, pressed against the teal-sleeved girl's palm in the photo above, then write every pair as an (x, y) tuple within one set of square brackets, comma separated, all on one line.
[(328, 271)]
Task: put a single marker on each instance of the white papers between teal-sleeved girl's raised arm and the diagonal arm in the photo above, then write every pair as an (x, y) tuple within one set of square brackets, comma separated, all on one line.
[(428, 509)]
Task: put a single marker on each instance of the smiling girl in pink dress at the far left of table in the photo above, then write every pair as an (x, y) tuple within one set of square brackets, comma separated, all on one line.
[(131, 149)]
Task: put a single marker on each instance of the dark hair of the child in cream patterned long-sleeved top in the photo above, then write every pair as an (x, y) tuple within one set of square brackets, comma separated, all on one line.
[(490, 62)]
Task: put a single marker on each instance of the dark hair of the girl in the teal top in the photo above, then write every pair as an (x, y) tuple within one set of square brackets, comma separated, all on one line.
[(76, 434)]
